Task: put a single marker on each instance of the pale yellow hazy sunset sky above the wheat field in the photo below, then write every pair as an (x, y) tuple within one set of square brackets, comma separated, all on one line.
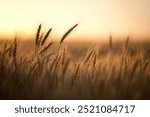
[(96, 18)]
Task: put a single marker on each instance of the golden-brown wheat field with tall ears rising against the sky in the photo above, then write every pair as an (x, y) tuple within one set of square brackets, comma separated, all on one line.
[(46, 69)]
